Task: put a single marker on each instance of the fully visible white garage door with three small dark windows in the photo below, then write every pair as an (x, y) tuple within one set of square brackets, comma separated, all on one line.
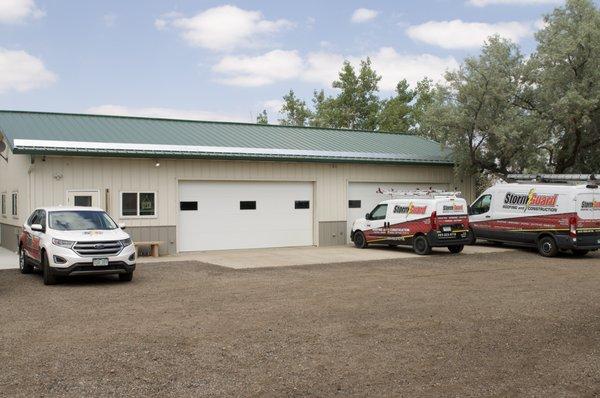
[(217, 215)]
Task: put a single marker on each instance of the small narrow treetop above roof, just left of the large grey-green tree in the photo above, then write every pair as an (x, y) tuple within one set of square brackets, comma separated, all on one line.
[(396, 113)]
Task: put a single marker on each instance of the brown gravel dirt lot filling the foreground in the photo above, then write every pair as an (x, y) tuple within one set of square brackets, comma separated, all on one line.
[(496, 325)]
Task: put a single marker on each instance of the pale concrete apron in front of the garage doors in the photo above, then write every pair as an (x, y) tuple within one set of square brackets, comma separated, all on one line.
[(289, 256)]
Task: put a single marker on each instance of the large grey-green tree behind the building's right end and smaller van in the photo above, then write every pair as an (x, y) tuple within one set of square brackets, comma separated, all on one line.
[(474, 113)]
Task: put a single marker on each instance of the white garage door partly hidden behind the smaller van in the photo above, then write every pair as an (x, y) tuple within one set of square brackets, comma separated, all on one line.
[(363, 196)]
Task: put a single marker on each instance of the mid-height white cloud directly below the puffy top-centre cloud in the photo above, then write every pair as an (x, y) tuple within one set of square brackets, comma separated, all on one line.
[(261, 70)]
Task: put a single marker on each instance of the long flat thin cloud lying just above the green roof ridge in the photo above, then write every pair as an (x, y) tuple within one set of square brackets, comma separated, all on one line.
[(165, 113)]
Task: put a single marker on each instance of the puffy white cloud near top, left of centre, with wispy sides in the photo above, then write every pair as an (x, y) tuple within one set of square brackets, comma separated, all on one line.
[(224, 28)]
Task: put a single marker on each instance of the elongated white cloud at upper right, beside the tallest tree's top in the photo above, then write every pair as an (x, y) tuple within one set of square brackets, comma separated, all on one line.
[(459, 34)]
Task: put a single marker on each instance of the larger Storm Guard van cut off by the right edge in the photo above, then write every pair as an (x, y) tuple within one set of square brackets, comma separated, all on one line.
[(550, 213)]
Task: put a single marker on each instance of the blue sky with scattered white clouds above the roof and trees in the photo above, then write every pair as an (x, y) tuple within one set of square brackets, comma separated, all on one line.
[(228, 60)]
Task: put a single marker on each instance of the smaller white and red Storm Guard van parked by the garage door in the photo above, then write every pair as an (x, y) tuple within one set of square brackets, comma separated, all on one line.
[(422, 219)]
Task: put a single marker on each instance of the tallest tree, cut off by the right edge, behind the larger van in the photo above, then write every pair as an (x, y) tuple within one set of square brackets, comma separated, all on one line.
[(564, 86)]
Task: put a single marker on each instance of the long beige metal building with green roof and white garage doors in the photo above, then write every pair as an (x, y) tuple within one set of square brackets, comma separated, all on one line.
[(209, 185)]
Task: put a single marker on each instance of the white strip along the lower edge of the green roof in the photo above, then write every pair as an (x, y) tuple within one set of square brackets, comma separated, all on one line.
[(110, 149)]
